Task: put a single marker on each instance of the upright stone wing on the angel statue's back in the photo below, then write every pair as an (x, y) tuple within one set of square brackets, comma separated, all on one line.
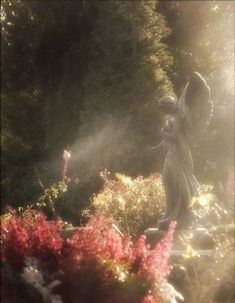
[(195, 108)]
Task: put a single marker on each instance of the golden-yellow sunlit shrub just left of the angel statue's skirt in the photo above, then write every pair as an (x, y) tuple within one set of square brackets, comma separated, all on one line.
[(135, 204)]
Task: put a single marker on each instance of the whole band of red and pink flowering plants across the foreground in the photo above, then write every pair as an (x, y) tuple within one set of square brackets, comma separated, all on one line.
[(94, 264)]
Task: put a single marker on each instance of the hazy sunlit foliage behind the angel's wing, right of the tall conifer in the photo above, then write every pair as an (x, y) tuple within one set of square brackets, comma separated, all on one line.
[(202, 39)]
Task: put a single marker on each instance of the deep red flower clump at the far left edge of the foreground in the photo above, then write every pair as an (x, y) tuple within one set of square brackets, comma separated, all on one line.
[(29, 235)]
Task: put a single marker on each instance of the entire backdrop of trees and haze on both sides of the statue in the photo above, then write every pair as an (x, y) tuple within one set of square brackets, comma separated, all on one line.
[(87, 76)]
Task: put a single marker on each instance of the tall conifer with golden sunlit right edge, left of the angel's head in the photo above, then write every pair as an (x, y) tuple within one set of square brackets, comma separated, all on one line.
[(126, 75)]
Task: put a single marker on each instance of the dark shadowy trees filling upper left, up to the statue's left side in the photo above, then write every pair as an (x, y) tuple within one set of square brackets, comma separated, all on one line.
[(65, 74)]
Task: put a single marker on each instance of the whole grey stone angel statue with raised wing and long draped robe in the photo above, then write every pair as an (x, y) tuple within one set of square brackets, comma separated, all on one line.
[(188, 120)]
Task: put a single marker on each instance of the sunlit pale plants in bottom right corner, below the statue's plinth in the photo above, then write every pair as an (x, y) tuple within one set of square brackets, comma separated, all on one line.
[(214, 267)]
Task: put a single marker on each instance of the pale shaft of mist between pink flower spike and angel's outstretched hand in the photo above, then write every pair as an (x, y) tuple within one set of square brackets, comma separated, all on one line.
[(104, 148)]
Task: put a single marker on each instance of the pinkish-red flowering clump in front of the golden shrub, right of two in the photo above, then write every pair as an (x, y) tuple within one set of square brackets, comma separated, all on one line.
[(114, 269)]
